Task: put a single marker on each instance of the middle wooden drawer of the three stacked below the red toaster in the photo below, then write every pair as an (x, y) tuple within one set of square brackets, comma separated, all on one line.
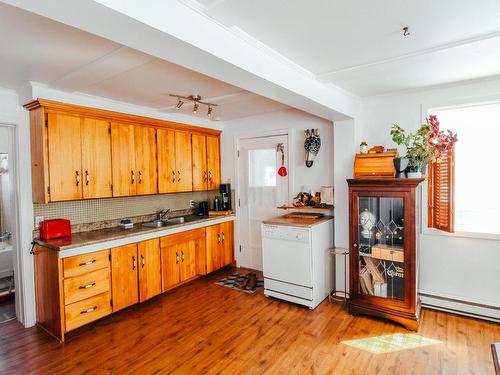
[(85, 286)]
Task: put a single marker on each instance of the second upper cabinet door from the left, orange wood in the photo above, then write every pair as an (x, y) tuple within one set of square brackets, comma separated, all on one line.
[(96, 158)]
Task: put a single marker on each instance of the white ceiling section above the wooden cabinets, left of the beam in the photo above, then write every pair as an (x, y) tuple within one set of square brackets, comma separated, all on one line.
[(36, 49)]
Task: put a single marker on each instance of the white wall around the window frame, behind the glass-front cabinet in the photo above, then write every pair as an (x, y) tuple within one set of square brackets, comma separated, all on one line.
[(466, 269)]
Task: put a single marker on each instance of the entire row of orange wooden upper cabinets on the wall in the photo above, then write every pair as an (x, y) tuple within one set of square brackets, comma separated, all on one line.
[(86, 153)]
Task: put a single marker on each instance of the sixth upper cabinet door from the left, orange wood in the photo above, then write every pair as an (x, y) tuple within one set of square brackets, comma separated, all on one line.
[(183, 163)]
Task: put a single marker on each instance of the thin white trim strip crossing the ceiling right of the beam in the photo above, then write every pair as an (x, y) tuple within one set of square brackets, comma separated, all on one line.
[(331, 75)]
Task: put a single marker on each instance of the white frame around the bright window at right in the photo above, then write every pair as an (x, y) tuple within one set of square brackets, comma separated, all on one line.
[(426, 109)]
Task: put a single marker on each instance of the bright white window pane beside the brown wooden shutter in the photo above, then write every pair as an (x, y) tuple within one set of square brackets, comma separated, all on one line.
[(477, 166)]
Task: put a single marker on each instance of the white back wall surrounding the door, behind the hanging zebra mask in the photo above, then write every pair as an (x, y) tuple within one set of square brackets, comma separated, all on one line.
[(320, 174)]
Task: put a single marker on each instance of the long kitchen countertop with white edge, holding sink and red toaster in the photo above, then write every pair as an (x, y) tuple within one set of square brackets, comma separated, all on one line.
[(100, 239)]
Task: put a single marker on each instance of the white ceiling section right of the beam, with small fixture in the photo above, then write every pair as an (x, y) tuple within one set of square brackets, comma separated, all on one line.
[(358, 45)]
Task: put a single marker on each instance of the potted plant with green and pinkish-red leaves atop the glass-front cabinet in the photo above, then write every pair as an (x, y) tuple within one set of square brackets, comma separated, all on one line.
[(427, 144)]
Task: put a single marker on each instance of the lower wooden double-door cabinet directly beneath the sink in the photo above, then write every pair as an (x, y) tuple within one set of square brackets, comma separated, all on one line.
[(179, 256)]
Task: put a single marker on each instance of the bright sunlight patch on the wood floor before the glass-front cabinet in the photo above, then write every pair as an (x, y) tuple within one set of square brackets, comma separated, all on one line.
[(391, 343)]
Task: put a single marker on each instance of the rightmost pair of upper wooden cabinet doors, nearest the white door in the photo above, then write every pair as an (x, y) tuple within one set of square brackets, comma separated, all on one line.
[(206, 162)]
